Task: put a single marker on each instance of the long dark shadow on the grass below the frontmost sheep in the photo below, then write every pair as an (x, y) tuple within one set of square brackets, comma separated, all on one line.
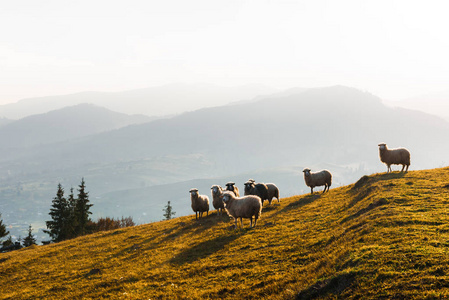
[(205, 249)]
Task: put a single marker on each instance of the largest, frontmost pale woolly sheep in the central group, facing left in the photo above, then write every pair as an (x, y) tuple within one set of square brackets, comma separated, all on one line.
[(242, 207)]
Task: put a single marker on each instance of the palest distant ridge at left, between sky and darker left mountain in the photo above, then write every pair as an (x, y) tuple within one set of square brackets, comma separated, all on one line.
[(158, 101)]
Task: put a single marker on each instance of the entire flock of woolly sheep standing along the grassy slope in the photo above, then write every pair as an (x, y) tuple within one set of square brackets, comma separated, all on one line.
[(250, 205)]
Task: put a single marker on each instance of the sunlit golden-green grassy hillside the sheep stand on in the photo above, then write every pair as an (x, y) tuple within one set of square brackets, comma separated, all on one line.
[(386, 236)]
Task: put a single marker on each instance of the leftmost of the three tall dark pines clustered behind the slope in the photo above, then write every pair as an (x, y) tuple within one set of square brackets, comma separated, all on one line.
[(57, 227)]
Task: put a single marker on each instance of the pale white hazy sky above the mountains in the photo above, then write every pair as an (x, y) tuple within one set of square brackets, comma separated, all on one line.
[(394, 49)]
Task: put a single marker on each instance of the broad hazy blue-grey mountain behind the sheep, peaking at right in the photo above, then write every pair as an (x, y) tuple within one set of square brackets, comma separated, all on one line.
[(270, 139)]
